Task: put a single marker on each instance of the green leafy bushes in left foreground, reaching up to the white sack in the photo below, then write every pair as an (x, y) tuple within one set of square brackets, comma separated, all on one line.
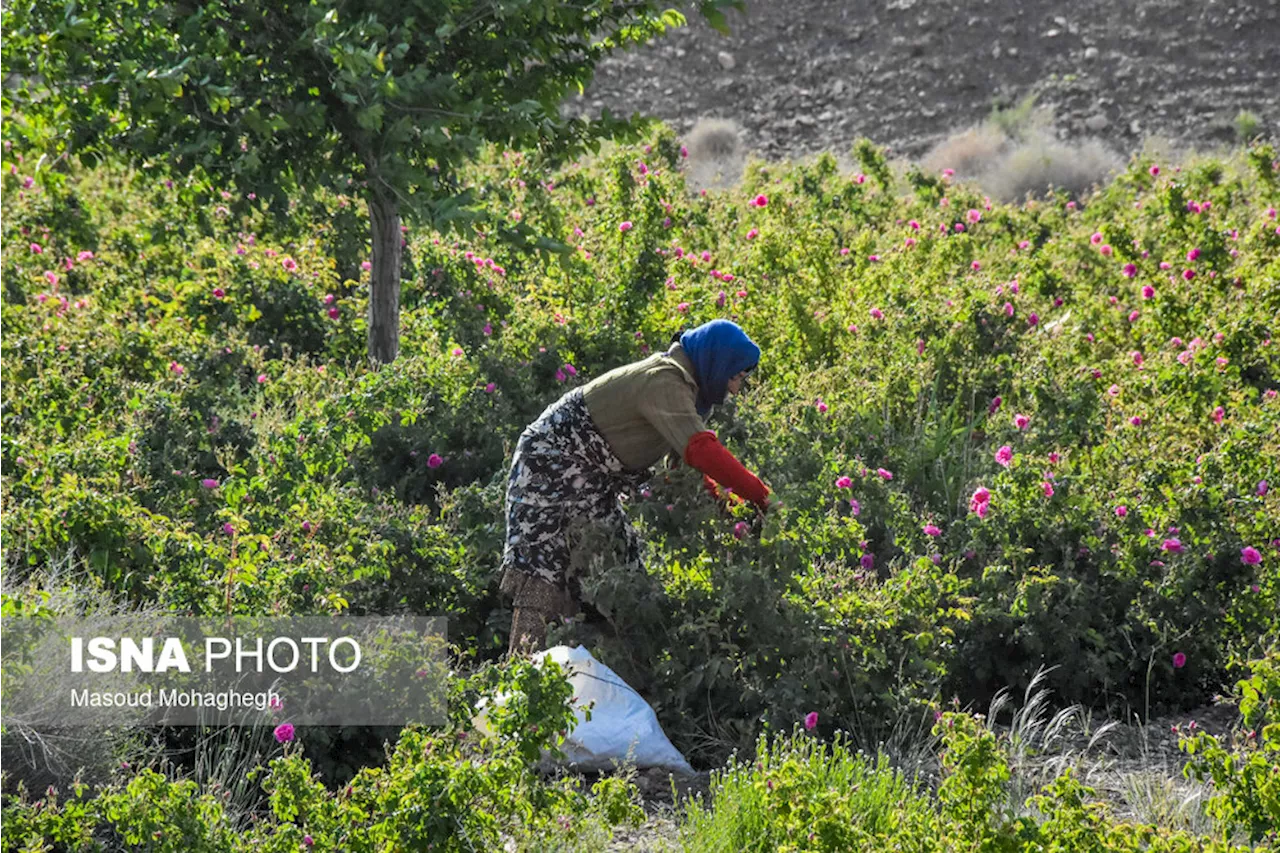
[(452, 790)]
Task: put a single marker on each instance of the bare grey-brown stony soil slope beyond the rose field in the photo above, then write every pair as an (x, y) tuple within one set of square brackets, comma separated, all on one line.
[(808, 76)]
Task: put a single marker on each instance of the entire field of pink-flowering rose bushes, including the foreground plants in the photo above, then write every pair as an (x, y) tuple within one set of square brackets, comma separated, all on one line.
[(999, 439)]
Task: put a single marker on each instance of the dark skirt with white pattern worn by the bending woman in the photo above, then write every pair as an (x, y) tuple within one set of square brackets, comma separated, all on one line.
[(565, 480)]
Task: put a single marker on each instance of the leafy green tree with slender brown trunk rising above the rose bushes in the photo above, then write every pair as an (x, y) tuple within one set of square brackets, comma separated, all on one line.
[(388, 95)]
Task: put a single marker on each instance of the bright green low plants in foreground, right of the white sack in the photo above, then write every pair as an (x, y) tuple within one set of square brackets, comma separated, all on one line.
[(798, 796)]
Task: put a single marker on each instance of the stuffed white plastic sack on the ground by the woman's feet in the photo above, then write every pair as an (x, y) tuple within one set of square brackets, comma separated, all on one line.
[(623, 728)]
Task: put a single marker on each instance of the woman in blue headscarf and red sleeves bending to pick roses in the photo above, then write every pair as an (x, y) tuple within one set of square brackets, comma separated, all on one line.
[(601, 440)]
